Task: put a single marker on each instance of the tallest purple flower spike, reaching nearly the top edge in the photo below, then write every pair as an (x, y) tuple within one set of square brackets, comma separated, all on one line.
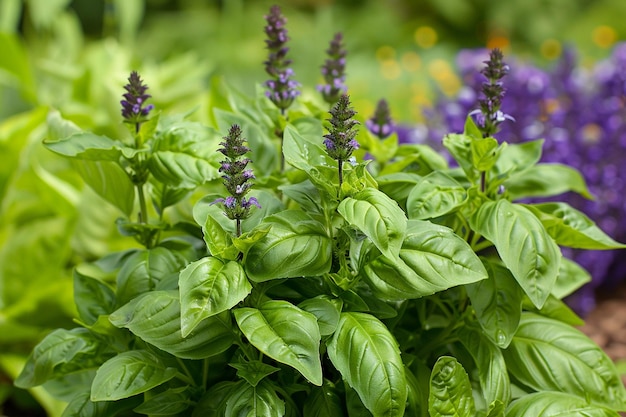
[(281, 89)]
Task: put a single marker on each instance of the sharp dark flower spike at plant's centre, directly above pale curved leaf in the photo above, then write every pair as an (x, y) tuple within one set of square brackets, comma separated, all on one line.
[(340, 141)]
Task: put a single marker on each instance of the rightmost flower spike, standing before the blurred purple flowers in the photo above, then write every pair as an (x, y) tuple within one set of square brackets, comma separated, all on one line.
[(489, 116)]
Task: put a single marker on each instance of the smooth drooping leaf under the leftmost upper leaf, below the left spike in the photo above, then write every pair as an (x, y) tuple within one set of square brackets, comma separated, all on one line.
[(110, 181)]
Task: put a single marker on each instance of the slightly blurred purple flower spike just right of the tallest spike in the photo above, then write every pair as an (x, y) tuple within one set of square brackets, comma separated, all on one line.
[(333, 71)]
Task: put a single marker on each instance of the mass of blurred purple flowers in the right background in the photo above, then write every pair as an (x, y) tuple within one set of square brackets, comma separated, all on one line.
[(581, 114)]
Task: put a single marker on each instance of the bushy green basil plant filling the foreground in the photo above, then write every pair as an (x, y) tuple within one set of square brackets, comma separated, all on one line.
[(288, 262)]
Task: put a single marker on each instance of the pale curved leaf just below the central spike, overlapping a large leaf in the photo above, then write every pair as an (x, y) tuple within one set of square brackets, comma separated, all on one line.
[(378, 217)]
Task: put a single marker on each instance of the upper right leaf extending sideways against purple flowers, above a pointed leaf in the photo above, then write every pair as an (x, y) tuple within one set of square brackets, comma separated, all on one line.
[(546, 180)]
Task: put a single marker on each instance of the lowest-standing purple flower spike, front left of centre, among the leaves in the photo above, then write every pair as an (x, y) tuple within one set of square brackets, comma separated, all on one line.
[(236, 177)]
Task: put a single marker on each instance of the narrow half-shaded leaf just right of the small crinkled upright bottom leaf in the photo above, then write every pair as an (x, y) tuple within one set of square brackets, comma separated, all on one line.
[(492, 372)]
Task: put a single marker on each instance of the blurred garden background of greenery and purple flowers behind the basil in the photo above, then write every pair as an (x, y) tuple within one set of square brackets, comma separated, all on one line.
[(568, 83)]
